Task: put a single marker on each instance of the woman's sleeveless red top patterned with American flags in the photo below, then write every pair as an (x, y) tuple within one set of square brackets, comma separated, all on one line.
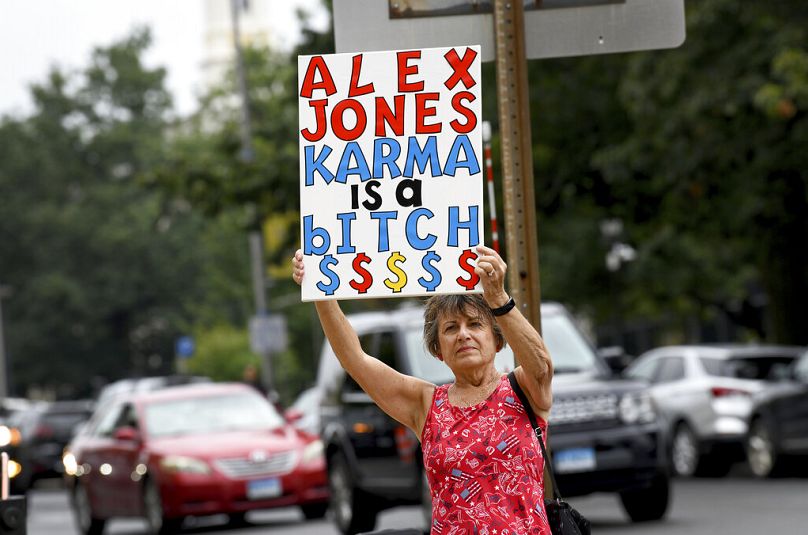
[(484, 466)]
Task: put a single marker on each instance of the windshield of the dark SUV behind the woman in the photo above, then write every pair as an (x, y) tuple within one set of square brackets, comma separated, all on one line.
[(570, 352)]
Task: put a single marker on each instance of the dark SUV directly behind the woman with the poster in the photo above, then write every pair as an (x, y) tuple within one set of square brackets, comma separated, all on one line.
[(603, 432)]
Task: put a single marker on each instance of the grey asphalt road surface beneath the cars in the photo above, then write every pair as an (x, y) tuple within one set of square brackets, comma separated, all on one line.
[(730, 506)]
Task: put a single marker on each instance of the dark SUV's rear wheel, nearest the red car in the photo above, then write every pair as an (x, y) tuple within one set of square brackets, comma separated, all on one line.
[(352, 513)]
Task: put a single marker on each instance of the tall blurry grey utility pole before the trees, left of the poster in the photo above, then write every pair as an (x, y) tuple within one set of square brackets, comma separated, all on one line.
[(247, 155)]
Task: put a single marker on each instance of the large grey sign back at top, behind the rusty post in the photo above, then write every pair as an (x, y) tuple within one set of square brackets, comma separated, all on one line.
[(584, 28)]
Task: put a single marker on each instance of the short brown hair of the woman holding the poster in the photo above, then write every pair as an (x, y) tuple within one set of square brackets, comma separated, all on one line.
[(468, 305)]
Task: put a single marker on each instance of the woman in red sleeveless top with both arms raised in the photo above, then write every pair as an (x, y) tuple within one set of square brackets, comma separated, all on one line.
[(481, 456)]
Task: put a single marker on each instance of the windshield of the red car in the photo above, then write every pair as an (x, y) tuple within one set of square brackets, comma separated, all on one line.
[(210, 414)]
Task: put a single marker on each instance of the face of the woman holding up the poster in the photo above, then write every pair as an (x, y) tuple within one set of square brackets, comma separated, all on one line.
[(466, 340)]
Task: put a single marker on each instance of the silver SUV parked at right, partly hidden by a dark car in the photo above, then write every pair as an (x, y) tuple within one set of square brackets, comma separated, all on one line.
[(704, 392)]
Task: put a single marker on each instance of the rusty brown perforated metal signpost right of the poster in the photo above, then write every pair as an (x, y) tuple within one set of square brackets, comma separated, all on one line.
[(517, 160)]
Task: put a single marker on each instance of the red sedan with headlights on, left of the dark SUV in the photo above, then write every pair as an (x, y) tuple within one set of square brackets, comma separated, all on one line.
[(191, 451)]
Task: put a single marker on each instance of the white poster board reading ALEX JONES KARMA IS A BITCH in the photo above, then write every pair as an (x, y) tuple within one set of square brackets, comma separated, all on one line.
[(391, 184)]
